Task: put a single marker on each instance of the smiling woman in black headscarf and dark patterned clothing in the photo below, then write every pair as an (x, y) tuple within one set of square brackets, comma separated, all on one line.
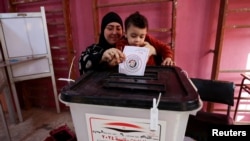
[(104, 53)]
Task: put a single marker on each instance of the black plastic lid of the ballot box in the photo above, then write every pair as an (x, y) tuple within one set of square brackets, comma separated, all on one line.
[(111, 88)]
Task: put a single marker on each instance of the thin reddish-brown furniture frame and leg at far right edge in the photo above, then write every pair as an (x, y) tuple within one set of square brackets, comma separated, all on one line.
[(243, 87)]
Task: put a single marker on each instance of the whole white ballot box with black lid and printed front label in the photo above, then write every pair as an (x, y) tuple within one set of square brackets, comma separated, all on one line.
[(110, 106)]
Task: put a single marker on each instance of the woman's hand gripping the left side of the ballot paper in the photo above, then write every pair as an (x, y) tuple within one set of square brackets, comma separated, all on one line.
[(113, 56)]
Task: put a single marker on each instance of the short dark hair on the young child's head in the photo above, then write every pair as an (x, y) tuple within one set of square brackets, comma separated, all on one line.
[(137, 20)]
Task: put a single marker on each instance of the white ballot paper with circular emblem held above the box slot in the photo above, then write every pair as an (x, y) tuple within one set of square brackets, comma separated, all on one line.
[(136, 60)]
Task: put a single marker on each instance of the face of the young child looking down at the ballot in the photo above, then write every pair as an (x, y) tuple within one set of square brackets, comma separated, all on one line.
[(135, 35)]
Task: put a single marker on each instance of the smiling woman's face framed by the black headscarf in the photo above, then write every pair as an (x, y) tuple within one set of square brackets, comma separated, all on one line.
[(113, 32)]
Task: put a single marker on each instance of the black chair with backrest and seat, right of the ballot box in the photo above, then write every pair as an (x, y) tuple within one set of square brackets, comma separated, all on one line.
[(199, 125)]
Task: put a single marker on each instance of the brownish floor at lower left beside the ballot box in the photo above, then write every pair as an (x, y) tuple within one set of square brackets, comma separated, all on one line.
[(37, 124)]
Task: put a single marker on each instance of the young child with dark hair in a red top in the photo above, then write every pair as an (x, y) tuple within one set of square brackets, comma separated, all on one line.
[(136, 27)]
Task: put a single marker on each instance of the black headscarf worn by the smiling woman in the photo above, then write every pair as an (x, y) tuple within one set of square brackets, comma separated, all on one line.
[(108, 18)]
